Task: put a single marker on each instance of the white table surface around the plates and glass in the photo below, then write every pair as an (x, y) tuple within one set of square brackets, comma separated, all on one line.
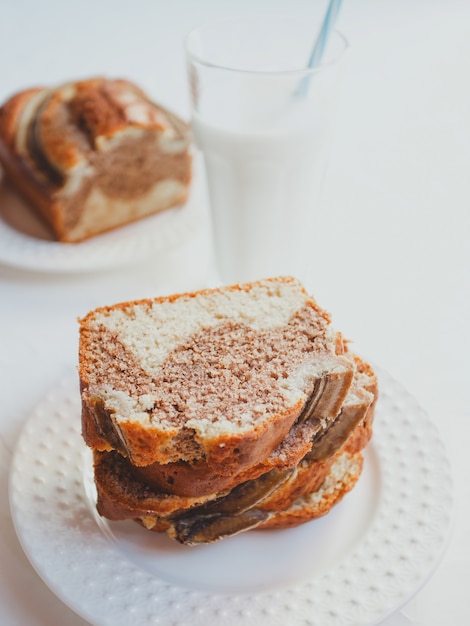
[(392, 246)]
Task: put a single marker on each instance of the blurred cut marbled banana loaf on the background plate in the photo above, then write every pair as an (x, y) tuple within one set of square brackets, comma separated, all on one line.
[(93, 155)]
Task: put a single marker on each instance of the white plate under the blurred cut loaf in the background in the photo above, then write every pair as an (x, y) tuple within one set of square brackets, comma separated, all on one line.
[(25, 242)]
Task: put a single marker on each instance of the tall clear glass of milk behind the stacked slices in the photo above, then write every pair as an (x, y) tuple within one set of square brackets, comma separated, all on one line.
[(263, 122)]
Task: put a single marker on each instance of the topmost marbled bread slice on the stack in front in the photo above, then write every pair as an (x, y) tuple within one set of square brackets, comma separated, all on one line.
[(207, 374)]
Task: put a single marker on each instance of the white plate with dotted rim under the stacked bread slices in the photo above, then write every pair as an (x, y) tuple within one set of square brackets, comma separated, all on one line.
[(354, 566)]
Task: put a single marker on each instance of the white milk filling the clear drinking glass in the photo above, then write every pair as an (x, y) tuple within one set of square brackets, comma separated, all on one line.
[(265, 167)]
